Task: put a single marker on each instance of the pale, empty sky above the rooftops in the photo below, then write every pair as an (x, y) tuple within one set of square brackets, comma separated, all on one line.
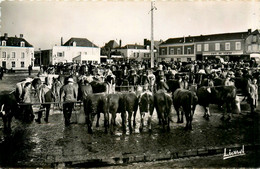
[(43, 23)]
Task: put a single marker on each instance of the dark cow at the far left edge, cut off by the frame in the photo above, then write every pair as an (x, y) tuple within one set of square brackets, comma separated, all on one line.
[(8, 109)]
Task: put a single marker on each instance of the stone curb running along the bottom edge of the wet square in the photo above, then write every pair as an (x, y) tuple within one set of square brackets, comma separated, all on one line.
[(128, 159)]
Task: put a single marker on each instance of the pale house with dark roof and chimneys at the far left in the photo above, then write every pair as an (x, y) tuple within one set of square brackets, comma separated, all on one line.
[(16, 53)]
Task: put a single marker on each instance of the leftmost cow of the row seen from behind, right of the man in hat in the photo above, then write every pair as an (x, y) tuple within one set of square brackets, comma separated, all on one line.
[(95, 104)]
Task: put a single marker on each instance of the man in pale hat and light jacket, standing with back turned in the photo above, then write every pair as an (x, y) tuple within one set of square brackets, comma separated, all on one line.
[(69, 97)]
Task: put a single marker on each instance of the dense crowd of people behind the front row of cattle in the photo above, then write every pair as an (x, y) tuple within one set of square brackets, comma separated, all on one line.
[(138, 77)]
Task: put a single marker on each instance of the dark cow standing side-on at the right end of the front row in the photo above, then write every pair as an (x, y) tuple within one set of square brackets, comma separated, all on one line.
[(221, 95)]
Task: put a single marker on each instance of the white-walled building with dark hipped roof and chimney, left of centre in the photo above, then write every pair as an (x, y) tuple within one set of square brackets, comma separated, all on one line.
[(79, 50)]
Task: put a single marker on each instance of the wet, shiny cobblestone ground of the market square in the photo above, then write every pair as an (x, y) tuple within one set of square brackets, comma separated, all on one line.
[(53, 144)]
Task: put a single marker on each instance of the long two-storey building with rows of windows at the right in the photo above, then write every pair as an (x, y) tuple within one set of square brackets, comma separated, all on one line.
[(229, 46)]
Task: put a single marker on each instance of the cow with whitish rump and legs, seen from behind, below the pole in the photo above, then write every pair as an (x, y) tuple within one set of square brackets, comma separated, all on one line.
[(146, 105)]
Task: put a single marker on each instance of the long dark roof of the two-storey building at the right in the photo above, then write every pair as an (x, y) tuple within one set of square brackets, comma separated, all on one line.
[(203, 38)]
